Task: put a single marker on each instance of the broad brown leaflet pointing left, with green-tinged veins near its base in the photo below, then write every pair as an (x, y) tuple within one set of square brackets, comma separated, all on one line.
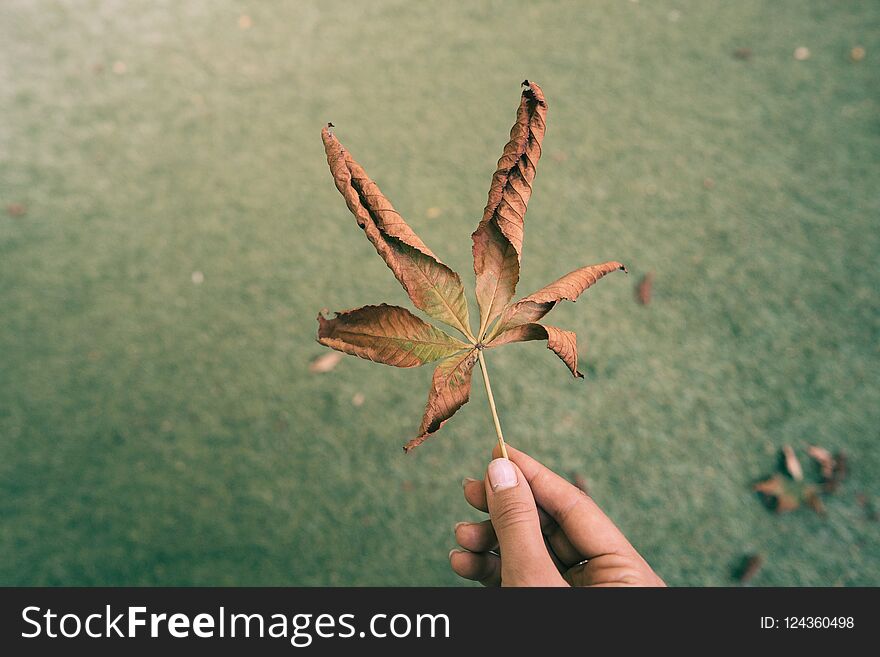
[(386, 334)]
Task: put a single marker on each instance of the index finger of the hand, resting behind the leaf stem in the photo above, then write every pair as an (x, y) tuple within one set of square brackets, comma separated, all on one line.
[(584, 523)]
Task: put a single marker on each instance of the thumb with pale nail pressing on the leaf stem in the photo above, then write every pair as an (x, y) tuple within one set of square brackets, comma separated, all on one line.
[(524, 557)]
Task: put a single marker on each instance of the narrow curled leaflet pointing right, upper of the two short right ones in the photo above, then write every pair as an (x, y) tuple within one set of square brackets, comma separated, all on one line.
[(536, 305)]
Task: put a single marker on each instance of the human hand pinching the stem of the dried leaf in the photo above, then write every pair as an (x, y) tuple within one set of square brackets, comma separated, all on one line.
[(563, 540)]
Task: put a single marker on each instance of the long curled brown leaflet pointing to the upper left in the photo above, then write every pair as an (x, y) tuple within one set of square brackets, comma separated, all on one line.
[(432, 286)]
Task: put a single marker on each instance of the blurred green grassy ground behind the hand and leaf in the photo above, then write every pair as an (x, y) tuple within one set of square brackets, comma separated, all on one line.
[(157, 431)]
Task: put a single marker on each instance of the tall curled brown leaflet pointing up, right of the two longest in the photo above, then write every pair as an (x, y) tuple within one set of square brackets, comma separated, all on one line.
[(499, 236)]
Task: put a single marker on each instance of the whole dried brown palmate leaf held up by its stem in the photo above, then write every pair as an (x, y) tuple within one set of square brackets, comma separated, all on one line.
[(394, 336)]
